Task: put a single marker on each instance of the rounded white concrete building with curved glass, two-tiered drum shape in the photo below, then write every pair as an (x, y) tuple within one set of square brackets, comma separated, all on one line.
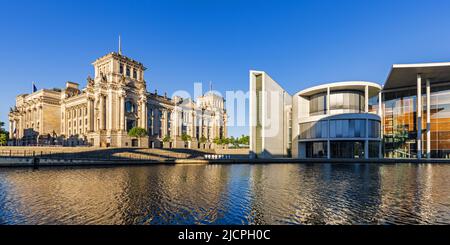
[(336, 121)]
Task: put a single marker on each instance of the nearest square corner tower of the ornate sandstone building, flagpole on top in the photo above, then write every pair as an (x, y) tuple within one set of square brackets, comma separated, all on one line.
[(118, 97)]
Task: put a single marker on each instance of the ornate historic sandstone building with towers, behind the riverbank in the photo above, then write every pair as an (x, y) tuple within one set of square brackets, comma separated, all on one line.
[(113, 102)]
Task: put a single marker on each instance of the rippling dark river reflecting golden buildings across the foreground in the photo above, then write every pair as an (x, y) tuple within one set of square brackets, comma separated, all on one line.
[(228, 194)]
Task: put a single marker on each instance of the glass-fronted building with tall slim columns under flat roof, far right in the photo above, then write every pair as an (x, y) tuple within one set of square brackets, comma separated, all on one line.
[(410, 132)]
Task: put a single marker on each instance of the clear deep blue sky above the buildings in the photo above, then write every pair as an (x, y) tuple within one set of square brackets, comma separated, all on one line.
[(299, 43)]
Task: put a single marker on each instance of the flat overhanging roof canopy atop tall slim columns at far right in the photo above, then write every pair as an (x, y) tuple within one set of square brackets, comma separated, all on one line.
[(405, 75)]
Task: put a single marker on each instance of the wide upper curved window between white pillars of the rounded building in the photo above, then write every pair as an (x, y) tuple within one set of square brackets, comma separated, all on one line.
[(346, 102)]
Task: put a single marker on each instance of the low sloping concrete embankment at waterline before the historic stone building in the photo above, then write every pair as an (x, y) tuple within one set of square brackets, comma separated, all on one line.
[(91, 156)]
